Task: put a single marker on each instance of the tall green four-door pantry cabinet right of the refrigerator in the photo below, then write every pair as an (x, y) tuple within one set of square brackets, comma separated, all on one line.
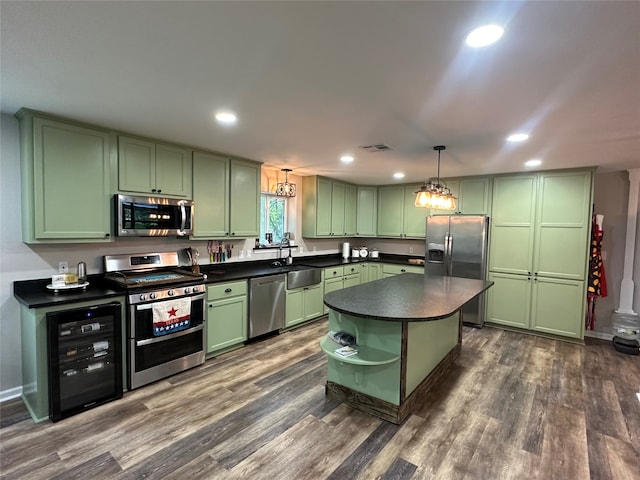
[(539, 250)]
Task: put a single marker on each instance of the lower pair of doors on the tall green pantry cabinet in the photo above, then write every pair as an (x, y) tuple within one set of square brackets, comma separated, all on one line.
[(546, 305)]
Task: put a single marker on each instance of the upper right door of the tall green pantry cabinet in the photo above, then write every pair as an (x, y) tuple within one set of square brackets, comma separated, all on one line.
[(563, 225)]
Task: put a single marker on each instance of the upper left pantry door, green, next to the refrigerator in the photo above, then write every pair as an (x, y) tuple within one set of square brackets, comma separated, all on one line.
[(512, 228)]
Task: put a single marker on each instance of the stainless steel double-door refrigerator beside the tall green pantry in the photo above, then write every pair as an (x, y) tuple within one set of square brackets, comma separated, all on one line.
[(456, 246)]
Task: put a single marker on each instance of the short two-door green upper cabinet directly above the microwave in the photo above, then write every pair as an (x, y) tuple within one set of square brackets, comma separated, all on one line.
[(151, 168)]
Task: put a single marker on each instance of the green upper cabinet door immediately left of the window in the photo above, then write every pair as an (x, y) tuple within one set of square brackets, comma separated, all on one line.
[(244, 199)]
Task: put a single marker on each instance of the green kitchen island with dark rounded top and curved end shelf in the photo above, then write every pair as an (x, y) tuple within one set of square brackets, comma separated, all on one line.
[(408, 331)]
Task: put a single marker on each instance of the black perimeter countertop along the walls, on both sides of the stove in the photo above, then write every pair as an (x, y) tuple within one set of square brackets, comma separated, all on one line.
[(34, 293)]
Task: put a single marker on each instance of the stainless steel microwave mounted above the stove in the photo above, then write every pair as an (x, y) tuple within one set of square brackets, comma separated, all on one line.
[(153, 216)]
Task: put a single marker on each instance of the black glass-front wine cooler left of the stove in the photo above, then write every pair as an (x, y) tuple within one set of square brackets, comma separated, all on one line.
[(84, 357)]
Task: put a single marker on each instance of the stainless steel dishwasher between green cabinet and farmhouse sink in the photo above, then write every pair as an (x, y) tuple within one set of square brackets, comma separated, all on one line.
[(266, 304)]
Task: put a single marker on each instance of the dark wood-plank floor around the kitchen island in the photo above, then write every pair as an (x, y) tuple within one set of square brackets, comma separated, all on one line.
[(513, 406)]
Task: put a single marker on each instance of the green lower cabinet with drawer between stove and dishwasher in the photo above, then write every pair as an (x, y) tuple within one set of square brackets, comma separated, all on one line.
[(226, 315)]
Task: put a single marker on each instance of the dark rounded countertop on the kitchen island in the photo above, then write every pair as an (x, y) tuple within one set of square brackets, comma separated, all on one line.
[(407, 297)]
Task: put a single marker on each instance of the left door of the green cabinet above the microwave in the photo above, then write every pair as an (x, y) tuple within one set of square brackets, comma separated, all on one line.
[(136, 165)]
